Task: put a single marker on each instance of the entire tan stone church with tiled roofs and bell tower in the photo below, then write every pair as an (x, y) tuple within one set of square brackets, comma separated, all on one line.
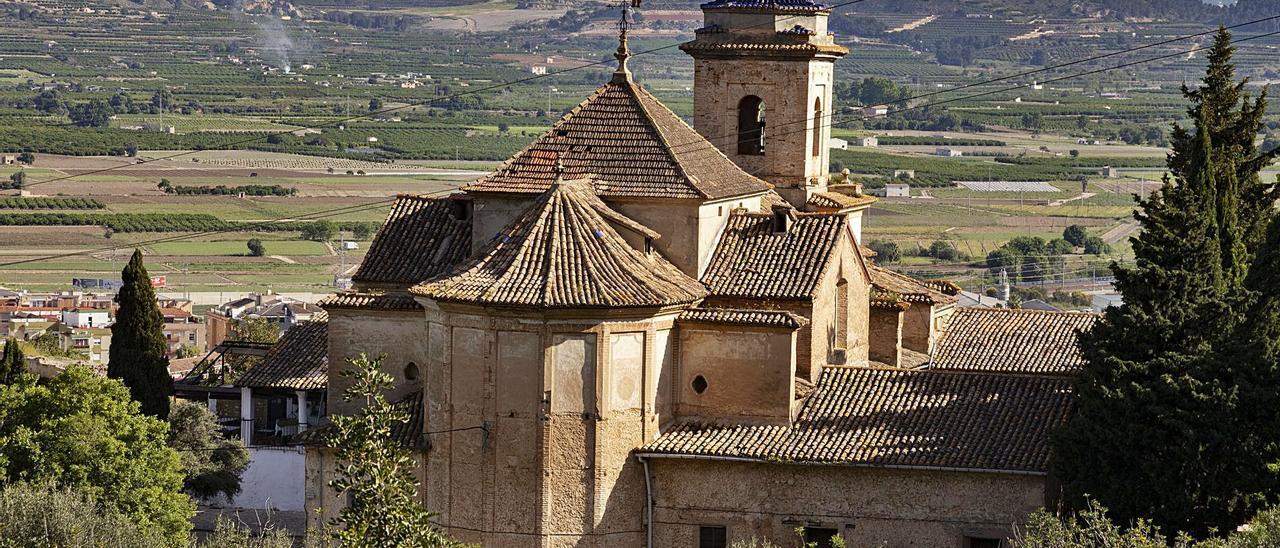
[(641, 334)]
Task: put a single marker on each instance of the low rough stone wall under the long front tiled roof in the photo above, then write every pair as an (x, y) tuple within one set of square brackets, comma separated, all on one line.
[(871, 508)]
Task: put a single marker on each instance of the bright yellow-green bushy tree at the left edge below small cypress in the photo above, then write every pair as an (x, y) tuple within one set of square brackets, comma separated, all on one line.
[(85, 433)]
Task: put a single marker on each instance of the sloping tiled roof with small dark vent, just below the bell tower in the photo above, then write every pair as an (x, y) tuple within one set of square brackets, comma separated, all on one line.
[(752, 261)]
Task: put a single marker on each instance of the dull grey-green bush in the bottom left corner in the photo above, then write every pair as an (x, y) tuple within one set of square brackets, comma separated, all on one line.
[(45, 515)]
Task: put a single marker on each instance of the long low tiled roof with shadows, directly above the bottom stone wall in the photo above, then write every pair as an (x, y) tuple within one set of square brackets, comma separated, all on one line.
[(875, 417)]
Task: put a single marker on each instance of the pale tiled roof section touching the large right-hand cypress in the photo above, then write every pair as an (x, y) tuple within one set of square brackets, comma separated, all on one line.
[(1012, 341)]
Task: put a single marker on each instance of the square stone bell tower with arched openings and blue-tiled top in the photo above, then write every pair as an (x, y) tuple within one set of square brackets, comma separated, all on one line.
[(764, 76)]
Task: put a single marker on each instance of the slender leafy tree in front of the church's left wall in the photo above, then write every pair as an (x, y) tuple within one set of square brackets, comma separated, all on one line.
[(374, 472)]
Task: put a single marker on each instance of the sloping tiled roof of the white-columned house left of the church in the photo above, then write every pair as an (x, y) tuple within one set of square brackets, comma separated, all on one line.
[(299, 362)]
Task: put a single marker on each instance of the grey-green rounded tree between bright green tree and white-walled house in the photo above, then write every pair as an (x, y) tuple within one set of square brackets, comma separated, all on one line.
[(213, 465)]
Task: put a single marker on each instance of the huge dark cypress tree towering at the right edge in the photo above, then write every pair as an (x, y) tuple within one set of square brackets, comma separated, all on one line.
[(1167, 424)]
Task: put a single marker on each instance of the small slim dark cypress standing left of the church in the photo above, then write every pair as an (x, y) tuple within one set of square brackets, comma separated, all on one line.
[(139, 346)]
